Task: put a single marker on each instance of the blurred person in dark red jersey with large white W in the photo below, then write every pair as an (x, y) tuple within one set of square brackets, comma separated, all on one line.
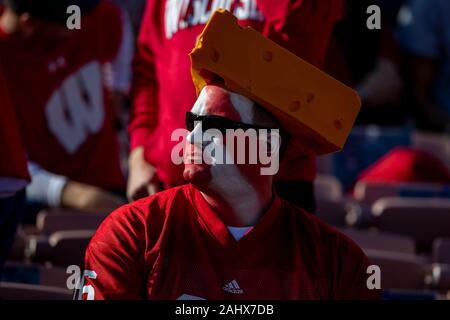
[(59, 82)]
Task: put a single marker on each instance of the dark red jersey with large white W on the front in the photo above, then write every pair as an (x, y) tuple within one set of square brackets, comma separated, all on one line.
[(58, 90)]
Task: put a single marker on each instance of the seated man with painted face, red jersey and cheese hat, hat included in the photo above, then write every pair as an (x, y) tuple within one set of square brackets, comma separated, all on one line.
[(226, 234)]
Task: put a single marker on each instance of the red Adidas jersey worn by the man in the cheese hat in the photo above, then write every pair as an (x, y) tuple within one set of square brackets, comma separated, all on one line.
[(172, 245)]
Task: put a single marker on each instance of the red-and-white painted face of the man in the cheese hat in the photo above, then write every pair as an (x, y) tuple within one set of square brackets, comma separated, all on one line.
[(228, 110)]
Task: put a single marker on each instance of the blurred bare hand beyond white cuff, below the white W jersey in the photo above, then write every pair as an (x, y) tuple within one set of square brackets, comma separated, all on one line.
[(88, 198)]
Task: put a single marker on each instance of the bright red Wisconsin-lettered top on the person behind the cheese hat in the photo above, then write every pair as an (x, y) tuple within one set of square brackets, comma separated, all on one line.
[(162, 91)]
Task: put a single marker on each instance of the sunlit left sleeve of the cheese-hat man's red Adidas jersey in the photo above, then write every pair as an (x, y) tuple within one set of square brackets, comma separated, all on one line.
[(114, 260)]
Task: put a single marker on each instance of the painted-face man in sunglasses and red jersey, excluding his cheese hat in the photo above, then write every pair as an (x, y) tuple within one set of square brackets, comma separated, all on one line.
[(224, 235)]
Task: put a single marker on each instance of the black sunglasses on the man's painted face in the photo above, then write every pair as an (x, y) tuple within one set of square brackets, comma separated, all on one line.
[(217, 122)]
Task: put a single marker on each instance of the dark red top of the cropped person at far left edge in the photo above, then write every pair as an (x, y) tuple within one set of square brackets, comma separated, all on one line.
[(13, 162)]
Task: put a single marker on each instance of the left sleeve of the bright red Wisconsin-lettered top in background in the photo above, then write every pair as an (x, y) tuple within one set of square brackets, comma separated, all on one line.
[(144, 90)]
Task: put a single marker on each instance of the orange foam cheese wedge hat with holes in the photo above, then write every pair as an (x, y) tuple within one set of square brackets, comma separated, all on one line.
[(317, 110)]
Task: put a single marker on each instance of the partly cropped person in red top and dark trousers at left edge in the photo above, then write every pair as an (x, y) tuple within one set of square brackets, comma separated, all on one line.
[(13, 174)]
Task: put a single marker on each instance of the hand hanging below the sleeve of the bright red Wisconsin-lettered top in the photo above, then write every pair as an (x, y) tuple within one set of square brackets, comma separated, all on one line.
[(142, 179)]
